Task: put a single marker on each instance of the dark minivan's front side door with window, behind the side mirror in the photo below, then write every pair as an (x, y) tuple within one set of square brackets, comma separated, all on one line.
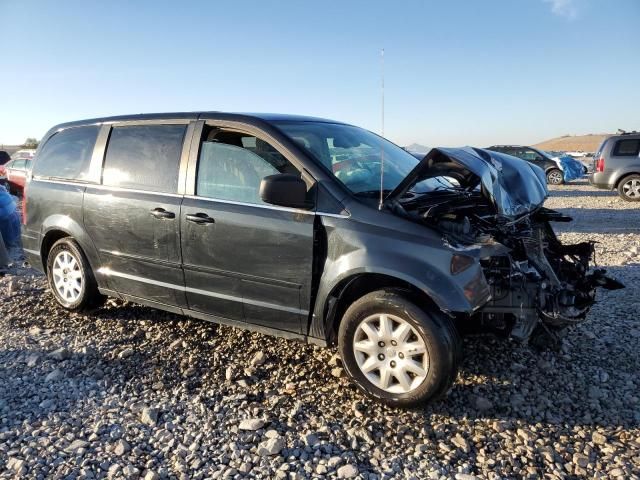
[(244, 259)]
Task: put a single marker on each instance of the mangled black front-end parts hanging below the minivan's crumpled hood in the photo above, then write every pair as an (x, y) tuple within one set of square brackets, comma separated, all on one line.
[(539, 283)]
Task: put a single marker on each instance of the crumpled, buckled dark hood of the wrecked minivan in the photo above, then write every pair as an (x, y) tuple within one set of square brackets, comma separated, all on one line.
[(515, 187)]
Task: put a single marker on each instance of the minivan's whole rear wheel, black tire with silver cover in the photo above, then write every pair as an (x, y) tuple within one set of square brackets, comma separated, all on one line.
[(71, 278)]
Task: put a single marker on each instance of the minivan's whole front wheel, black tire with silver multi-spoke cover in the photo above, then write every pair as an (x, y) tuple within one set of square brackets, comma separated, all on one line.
[(397, 352)]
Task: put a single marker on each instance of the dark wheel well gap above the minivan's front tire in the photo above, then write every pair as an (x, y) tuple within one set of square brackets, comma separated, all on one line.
[(352, 288)]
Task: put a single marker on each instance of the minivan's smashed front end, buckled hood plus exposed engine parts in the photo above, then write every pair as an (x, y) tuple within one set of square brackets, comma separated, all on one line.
[(536, 282)]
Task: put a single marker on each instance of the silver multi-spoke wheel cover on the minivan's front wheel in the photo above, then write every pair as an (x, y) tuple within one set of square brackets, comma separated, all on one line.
[(390, 353)]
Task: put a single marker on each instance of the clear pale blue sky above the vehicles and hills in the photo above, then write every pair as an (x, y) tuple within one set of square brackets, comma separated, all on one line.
[(455, 72)]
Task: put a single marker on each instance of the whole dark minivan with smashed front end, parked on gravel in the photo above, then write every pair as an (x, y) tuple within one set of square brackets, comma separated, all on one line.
[(278, 223)]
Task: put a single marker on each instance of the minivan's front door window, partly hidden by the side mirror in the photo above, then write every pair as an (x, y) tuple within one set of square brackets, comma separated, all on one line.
[(231, 166)]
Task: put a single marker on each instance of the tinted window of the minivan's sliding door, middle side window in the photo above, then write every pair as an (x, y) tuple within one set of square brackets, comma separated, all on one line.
[(144, 157)]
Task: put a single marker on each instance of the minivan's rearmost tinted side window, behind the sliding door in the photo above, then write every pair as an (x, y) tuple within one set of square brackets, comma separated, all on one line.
[(67, 154)]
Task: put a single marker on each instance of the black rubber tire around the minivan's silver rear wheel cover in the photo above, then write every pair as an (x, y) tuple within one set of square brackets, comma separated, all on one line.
[(89, 296)]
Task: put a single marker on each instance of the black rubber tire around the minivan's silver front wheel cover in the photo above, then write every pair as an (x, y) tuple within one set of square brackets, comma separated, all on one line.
[(442, 342)]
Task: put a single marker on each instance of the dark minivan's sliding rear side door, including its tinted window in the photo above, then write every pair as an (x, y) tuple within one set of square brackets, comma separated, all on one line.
[(133, 218)]
